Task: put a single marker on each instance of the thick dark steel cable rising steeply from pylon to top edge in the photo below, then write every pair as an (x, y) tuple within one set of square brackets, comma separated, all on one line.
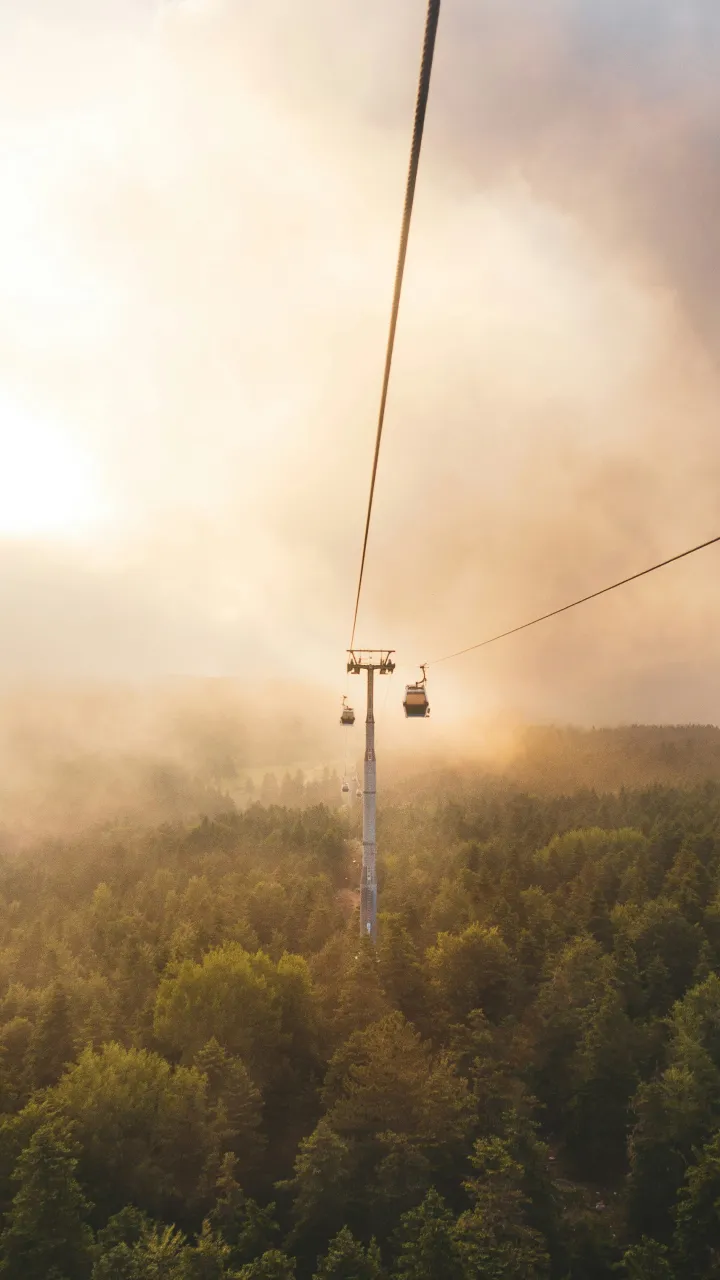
[(421, 107)]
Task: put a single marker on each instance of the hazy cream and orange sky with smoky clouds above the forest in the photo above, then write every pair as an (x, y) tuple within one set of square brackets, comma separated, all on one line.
[(199, 218)]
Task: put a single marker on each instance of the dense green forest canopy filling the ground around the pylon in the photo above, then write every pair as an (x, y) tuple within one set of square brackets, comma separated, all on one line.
[(206, 1073)]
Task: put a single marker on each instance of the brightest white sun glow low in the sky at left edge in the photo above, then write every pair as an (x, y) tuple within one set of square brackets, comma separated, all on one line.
[(48, 486)]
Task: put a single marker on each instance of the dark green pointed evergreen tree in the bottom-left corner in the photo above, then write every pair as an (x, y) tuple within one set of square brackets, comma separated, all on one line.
[(45, 1233)]
